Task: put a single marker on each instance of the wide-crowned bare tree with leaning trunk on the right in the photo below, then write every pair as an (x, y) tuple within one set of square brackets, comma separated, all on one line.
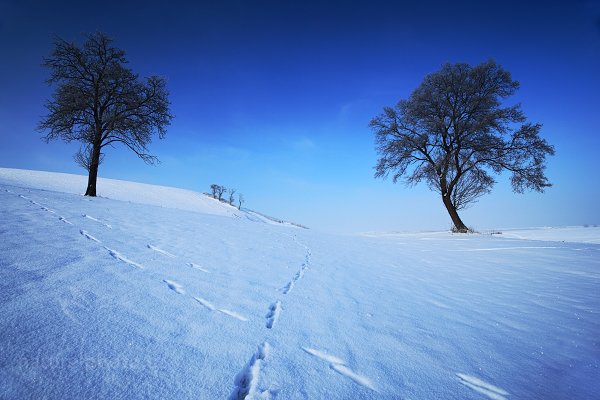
[(453, 133)]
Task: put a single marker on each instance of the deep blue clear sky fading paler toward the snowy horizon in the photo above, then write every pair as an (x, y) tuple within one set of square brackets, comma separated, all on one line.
[(274, 97)]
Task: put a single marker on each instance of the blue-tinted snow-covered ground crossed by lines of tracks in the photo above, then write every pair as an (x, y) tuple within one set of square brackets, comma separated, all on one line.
[(132, 301)]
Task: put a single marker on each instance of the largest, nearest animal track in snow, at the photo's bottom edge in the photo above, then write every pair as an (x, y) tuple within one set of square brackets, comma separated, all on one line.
[(247, 381)]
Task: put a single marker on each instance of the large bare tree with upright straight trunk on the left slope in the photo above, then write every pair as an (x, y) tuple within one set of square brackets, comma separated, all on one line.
[(100, 102)]
